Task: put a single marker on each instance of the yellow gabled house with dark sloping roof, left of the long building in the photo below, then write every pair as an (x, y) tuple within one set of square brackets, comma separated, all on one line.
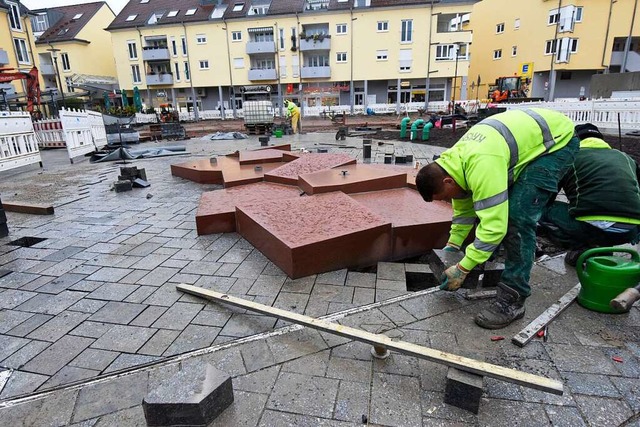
[(74, 50)]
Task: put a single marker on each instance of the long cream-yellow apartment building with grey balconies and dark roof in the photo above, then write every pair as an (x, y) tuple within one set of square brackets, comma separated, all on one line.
[(216, 54)]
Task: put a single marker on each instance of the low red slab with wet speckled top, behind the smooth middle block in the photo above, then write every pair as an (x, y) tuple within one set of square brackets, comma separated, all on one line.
[(307, 163)]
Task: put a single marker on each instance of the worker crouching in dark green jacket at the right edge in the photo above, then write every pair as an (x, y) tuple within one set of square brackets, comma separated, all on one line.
[(604, 199)]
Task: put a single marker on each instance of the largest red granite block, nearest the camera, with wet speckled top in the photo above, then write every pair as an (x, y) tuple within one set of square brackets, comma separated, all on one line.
[(314, 234)]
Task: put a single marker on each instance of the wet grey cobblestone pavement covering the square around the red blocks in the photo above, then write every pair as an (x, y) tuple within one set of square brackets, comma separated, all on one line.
[(90, 319)]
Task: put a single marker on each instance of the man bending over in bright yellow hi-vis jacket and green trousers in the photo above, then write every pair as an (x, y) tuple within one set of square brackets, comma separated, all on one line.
[(501, 174)]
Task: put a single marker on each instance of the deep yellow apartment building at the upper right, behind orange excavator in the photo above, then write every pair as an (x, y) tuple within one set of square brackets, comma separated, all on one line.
[(555, 45)]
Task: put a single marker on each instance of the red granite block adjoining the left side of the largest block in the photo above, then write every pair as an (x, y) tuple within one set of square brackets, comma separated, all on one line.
[(217, 209)]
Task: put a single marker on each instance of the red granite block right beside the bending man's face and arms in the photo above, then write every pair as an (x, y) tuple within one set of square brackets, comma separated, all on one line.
[(418, 226)]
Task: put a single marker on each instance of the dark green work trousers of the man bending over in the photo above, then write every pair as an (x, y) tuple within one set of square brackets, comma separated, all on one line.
[(535, 188)]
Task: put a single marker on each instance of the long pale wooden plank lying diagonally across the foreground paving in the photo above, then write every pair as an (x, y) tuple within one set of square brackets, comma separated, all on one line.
[(462, 363)]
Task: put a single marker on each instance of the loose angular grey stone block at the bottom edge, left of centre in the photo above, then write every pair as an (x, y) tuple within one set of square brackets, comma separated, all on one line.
[(195, 396)]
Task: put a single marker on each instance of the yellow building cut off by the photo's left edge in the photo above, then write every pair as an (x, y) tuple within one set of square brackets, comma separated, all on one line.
[(16, 49)]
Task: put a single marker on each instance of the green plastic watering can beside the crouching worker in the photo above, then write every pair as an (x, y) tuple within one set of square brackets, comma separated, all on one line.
[(604, 277)]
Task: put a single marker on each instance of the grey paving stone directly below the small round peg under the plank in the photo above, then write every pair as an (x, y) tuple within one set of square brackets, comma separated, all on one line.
[(395, 401)]
